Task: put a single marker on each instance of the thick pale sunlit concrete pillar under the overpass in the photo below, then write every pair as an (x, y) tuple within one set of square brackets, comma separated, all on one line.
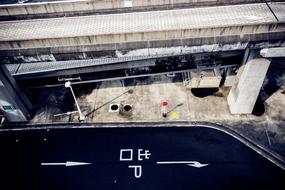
[(244, 92)]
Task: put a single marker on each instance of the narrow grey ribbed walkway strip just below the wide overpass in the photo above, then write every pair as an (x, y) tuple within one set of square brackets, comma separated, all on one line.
[(28, 70)]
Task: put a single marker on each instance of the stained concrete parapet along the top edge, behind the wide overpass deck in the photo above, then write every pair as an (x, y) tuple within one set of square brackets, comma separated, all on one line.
[(69, 8)]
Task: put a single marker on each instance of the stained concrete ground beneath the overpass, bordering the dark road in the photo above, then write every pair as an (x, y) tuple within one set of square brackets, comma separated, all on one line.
[(146, 96)]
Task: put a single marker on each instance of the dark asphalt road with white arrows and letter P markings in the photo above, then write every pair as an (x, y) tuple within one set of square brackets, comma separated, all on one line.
[(132, 158)]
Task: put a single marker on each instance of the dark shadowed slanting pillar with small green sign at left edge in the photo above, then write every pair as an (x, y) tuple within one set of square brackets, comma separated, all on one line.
[(13, 101)]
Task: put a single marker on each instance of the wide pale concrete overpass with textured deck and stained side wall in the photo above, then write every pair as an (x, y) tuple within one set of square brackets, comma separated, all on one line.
[(185, 27)]
